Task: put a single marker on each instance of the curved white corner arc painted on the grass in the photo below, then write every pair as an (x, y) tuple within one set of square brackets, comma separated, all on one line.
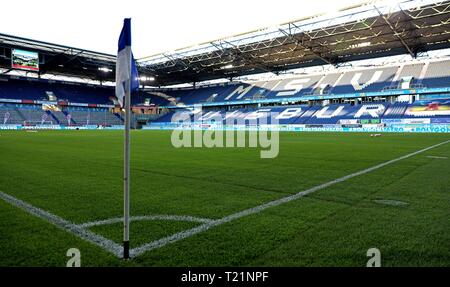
[(146, 218)]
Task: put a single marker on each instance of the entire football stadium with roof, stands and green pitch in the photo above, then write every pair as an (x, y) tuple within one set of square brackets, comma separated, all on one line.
[(323, 141)]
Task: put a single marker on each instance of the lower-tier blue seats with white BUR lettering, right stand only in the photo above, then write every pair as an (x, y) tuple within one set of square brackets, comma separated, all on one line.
[(316, 115)]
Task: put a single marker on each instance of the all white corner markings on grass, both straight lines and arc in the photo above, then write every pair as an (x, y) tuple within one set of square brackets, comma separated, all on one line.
[(116, 249)]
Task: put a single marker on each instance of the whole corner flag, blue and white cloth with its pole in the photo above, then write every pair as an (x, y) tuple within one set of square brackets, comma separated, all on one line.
[(126, 82)]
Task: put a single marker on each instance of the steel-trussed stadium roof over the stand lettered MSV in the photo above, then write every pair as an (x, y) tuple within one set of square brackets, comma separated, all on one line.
[(375, 29)]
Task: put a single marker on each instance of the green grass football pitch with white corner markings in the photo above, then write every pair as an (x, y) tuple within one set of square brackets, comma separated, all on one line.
[(324, 201)]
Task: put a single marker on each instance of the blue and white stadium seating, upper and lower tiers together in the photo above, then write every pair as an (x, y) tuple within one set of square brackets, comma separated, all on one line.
[(420, 74)]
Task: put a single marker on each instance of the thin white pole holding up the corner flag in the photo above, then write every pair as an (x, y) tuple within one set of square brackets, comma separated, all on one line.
[(126, 171)]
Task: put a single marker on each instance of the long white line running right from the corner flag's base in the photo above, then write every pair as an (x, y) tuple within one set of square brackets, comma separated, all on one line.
[(204, 227)]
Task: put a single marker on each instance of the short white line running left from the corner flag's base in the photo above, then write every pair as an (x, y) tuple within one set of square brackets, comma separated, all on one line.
[(87, 235)]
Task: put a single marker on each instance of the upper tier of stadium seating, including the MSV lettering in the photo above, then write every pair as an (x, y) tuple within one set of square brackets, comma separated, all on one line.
[(431, 74)]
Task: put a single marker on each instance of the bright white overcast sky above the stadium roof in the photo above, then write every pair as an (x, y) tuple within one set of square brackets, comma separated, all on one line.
[(157, 25)]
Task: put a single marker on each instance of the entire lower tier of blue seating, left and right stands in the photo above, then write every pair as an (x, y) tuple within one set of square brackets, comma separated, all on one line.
[(284, 115)]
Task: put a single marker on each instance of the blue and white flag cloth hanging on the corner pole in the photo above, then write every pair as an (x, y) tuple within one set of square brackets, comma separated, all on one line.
[(125, 65)]
